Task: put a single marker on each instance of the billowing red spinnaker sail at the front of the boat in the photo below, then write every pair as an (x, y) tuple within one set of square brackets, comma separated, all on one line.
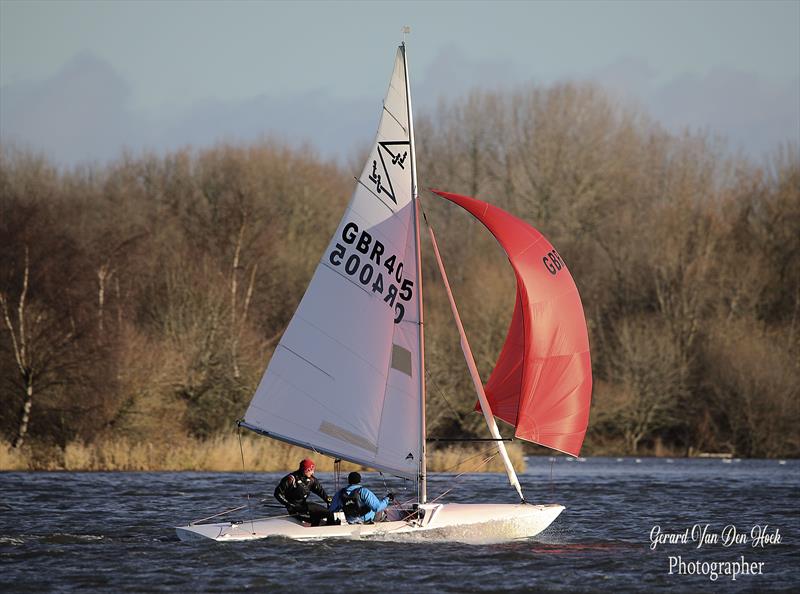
[(542, 381)]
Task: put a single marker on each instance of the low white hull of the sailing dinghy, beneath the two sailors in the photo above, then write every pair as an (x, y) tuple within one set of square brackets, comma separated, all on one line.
[(452, 521)]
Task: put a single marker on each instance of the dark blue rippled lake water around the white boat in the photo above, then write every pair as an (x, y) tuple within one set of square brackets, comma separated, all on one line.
[(114, 532)]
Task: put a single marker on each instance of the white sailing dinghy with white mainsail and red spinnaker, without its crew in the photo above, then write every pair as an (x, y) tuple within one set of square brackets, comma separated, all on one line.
[(347, 378)]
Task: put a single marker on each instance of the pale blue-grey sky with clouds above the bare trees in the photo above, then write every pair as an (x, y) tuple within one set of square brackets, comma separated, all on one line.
[(81, 81)]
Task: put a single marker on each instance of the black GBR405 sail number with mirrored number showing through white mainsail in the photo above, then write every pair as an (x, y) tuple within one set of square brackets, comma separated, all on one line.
[(365, 259)]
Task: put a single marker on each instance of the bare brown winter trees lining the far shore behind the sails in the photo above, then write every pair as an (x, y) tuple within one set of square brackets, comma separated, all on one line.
[(142, 299)]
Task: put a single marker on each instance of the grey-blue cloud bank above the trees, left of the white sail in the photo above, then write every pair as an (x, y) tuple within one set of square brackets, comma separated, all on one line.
[(83, 114)]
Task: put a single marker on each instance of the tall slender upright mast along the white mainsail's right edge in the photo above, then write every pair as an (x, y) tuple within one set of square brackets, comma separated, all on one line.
[(423, 489)]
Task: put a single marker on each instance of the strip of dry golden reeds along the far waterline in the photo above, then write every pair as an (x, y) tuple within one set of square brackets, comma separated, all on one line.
[(221, 454)]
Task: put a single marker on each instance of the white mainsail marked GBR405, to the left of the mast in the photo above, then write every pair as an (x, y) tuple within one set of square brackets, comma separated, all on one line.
[(356, 333)]
